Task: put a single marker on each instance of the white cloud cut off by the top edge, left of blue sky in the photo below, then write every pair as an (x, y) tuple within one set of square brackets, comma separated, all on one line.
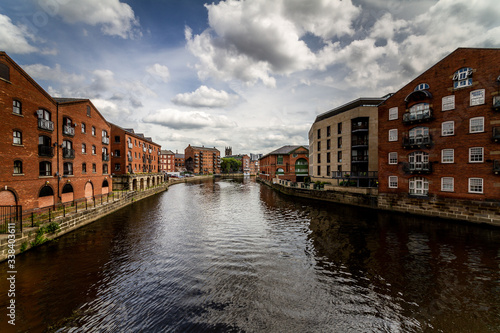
[(114, 17)]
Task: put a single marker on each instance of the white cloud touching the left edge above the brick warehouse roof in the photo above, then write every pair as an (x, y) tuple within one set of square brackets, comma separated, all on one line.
[(14, 39)]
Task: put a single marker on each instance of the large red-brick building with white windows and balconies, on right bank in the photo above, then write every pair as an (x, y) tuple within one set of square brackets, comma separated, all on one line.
[(439, 135)]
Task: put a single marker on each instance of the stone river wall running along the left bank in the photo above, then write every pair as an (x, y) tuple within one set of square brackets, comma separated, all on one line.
[(24, 239)]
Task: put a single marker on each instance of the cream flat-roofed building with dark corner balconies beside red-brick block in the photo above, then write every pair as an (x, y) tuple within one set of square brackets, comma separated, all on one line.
[(343, 144)]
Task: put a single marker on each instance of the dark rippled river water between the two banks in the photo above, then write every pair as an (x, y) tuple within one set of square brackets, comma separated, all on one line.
[(235, 256)]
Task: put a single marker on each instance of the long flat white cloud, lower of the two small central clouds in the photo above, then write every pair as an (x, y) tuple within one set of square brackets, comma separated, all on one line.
[(176, 119)]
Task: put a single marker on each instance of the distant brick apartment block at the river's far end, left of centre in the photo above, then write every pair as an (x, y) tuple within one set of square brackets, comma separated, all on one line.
[(202, 160)]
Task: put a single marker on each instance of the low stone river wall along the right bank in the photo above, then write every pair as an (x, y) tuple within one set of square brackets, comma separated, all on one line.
[(482, 212)]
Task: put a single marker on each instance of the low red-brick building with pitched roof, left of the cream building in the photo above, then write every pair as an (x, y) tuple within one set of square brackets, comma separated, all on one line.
[(288, 163)]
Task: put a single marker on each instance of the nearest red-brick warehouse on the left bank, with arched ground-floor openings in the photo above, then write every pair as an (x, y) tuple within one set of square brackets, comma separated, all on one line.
[(42, 151)]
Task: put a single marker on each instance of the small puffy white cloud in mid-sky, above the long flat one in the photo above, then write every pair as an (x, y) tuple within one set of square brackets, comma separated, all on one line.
[(205, 97)]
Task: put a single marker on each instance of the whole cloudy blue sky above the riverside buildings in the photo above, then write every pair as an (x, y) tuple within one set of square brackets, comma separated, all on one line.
[(251, 74)]
